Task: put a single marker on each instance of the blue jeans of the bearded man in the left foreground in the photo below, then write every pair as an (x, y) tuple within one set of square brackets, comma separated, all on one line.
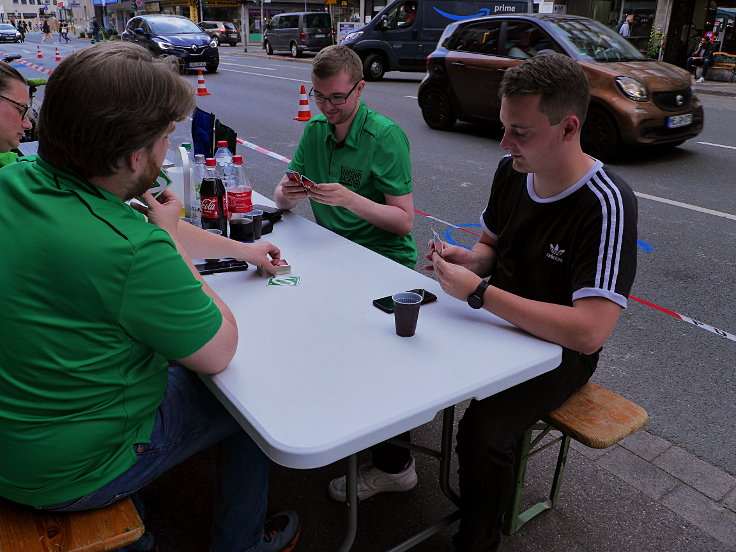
[(191, 419)]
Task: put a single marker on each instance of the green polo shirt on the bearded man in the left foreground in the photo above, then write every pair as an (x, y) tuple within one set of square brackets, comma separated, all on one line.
[(94, 301)]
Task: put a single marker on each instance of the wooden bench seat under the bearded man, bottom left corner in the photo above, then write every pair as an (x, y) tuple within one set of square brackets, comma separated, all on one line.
[(27, 530)]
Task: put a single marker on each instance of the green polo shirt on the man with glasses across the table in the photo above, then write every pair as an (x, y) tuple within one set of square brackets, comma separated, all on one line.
[(372, 161)]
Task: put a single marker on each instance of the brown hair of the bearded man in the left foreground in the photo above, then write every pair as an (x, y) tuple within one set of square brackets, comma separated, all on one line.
[(127, 100)]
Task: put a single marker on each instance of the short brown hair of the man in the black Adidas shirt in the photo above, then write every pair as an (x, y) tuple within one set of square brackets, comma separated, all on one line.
[(558, 79)]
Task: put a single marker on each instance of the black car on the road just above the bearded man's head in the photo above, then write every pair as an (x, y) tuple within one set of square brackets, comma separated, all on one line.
[(173, 35)]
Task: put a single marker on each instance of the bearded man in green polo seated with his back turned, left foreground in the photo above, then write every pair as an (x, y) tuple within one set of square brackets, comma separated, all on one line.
[(106, 322)]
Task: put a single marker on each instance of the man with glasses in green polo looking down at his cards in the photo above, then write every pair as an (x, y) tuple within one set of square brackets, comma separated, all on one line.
[(360, 163)]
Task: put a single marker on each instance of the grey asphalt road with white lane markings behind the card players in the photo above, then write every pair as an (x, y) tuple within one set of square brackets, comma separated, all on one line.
[(682, 373)]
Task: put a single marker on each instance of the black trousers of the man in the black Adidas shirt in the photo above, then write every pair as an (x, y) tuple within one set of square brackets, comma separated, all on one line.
[(487, 437)]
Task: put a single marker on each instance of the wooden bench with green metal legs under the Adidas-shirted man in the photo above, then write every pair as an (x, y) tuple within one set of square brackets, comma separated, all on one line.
[(593, 416)]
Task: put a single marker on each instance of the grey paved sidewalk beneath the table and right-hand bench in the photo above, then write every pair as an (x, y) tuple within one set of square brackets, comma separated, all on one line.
[(643, 495)]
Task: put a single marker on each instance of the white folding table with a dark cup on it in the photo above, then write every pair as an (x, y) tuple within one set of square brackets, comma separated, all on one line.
[(320, 374)]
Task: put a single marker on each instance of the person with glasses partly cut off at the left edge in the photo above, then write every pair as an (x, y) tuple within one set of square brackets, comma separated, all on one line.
[(14, 106)]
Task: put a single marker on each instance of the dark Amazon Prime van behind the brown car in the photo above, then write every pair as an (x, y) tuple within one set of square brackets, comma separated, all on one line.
[(404, 33)]
